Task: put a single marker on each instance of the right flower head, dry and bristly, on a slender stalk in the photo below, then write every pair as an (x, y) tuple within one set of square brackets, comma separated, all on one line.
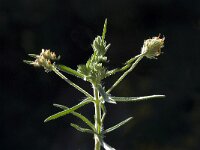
[(152, 47)]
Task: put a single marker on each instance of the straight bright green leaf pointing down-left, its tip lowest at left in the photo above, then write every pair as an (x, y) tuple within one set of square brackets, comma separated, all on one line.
[(67, 111)]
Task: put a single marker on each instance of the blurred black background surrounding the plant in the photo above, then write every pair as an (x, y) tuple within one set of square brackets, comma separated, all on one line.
[(68, 27)]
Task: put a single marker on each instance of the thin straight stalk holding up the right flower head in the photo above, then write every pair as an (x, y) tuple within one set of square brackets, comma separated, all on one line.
[(125, 73)]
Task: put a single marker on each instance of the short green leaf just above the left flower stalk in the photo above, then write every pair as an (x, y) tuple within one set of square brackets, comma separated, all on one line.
[(70, 71)]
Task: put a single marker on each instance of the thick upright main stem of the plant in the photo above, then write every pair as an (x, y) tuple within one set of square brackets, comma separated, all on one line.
[(98, 123)]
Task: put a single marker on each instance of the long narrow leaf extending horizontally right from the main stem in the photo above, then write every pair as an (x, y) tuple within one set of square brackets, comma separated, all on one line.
[(135, 99)]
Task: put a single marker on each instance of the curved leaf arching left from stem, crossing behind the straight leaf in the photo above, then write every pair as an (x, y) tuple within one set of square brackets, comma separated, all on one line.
[(83, 118)]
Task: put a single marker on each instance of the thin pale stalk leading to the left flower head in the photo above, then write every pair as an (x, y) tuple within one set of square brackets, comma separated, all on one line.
[(71, 83)]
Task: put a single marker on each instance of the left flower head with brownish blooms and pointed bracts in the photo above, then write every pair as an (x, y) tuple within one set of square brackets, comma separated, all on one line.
[(43, 60)]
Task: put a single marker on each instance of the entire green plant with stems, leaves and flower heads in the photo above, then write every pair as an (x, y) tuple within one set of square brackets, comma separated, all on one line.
[(94, 72)]
